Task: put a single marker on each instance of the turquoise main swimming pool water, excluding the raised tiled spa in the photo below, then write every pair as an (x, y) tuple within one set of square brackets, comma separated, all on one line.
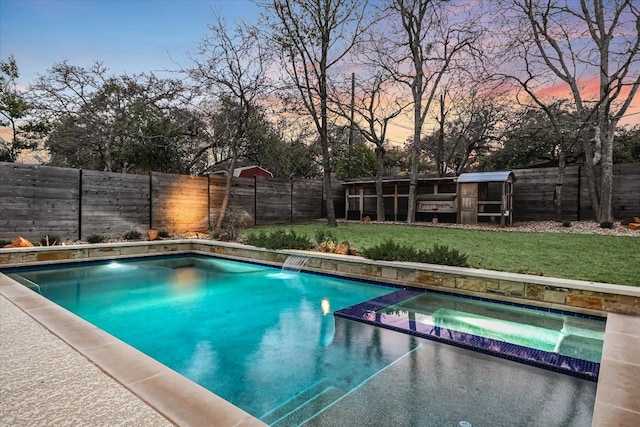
[(241, 352)]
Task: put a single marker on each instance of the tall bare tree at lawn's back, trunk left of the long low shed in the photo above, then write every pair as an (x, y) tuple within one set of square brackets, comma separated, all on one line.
[(313, 37)]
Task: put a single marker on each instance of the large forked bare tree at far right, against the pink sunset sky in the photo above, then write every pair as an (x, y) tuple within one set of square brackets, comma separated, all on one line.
[(591, 49)]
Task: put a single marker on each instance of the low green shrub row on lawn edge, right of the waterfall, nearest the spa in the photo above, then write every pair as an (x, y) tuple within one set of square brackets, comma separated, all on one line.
[(439, 254)]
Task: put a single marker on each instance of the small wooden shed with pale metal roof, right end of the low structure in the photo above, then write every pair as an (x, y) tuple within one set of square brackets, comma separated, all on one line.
[(485, 196)]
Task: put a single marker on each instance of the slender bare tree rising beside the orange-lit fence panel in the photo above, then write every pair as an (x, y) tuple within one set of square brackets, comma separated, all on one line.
[(232, 67)]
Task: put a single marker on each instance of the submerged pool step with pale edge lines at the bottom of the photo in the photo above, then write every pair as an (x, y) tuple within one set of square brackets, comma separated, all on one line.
[(304, 405)]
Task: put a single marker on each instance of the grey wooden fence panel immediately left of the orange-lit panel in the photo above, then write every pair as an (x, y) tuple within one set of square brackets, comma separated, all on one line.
[(114, 203)]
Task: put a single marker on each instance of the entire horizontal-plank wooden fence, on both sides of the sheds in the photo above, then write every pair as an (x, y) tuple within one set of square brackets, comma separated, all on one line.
[(74, 203)]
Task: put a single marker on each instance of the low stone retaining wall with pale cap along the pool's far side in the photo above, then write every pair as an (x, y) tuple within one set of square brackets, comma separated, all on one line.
[(563, 294)]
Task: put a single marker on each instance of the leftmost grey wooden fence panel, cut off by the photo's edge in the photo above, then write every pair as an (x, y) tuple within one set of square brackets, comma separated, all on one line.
[(38, 200)]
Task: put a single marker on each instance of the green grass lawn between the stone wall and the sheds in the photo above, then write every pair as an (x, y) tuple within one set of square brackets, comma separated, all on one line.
[(598, 258)]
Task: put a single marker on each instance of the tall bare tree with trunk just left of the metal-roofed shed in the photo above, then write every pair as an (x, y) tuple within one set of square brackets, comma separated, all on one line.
[(424, 40)]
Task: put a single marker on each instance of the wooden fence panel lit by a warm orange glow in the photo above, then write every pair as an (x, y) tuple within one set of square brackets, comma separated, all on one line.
[(180, 202)]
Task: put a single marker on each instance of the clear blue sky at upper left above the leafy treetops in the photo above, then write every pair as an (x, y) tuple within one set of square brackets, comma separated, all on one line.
[(126, 35)]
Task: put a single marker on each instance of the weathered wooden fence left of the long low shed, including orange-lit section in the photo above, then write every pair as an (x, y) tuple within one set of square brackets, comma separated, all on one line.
[(74, 203)]
